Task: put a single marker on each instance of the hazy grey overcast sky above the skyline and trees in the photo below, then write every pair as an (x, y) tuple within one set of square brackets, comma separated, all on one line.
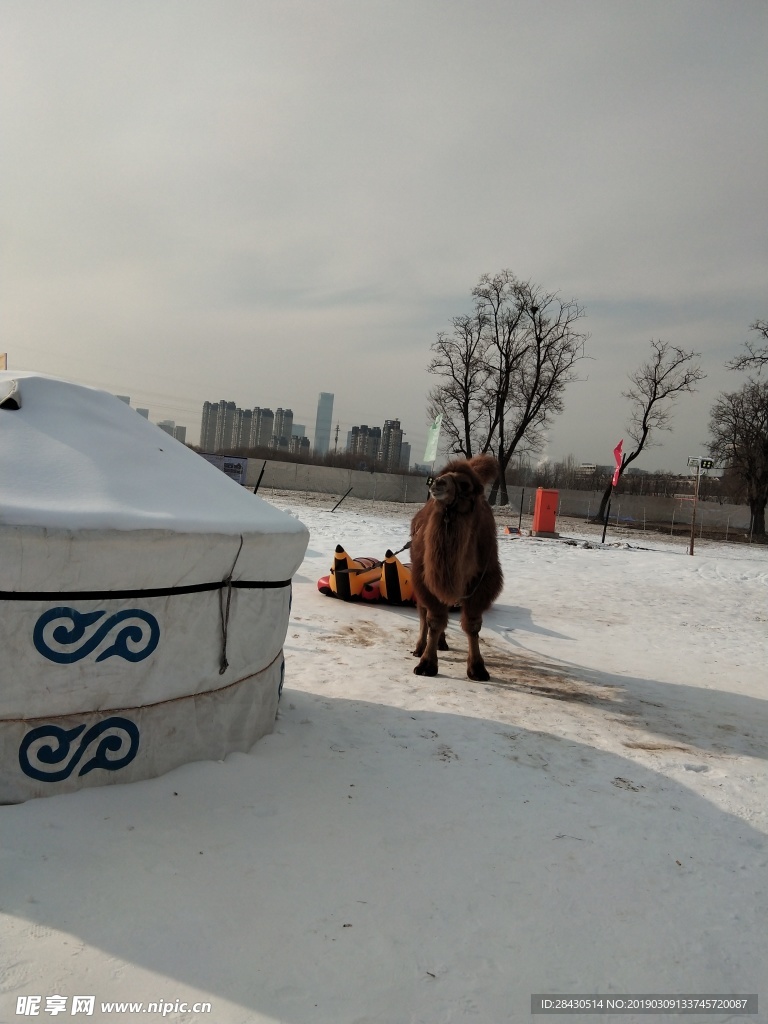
[(261, 201)]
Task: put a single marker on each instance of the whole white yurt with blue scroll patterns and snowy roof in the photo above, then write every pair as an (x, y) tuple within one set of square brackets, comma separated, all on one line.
[(145, 596)]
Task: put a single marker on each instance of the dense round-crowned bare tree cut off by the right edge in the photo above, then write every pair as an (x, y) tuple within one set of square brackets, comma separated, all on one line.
[(739, 430)]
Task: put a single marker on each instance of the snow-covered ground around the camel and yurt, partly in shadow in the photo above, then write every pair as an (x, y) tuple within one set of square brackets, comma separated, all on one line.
[(403, 849)]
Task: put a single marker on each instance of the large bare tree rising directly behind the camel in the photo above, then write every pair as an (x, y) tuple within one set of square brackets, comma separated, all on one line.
[(505, 379)]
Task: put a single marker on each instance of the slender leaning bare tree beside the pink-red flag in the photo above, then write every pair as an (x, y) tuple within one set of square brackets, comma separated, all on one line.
[(656, 387)]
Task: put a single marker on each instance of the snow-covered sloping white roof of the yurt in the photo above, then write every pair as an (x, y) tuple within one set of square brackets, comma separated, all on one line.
[(76, 458)]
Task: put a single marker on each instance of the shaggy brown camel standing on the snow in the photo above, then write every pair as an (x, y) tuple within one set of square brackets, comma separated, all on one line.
[(455, 561)]
